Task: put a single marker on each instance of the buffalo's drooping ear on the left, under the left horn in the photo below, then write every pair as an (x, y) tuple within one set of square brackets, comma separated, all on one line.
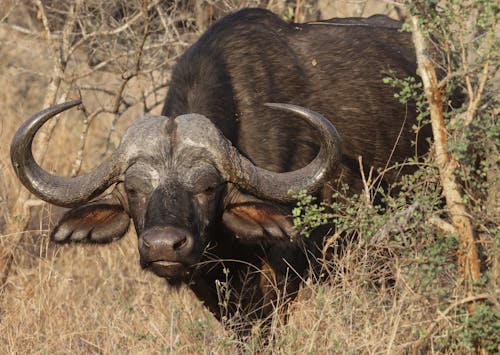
[(102, 220)]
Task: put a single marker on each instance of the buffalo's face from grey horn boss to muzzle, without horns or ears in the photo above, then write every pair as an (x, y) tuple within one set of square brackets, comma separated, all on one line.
[(169, 165)]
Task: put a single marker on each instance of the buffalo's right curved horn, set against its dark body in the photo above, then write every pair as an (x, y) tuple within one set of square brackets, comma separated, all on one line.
[(282, 186)]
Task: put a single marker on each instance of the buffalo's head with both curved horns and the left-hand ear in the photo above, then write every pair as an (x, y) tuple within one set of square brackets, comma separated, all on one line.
[(173, 177)]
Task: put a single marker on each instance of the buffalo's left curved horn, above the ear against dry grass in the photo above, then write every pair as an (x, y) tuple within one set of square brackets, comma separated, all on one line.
[(62, 191)]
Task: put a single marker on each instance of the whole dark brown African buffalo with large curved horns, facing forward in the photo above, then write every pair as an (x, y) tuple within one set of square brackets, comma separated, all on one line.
[(207, 184)]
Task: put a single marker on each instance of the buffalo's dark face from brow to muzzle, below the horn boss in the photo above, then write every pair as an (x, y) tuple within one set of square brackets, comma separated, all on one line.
[(172, 206)]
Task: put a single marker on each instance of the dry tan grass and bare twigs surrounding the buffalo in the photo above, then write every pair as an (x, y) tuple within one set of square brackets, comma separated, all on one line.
[(96, 299)]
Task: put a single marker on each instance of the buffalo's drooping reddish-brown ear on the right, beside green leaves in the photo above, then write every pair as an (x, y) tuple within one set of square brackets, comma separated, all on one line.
[(259, 221)]
